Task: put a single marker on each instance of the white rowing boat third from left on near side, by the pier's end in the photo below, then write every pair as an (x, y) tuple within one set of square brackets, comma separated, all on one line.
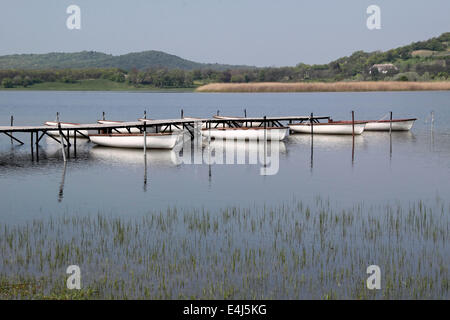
[(334, 127)]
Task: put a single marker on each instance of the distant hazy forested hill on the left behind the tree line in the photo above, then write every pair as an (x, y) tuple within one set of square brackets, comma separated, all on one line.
[(91, 59)]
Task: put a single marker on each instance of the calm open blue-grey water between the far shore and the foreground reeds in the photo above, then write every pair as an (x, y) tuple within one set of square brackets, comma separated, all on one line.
[(112, 181)]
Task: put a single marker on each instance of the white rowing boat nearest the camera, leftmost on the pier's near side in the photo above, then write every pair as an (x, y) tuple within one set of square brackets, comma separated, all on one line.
[(135, 140)]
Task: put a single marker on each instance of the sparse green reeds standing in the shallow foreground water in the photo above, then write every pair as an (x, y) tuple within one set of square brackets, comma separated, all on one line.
[(292, 250)]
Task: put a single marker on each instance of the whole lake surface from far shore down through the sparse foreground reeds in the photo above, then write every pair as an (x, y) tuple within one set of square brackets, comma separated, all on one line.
[(376, 178)]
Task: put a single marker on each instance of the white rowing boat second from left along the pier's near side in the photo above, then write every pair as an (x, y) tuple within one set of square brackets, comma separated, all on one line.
[(247, 133)]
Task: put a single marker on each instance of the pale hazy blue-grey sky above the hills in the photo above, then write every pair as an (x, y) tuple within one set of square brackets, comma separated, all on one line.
[(253, 32)]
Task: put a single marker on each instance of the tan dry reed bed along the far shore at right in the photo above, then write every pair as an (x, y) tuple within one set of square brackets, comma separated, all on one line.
[(324, 87)]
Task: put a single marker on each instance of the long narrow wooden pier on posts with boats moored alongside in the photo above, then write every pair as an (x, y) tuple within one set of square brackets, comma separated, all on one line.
[(163, 125)]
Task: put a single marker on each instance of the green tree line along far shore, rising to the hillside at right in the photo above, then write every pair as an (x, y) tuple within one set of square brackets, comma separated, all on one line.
[(410, 66)]
